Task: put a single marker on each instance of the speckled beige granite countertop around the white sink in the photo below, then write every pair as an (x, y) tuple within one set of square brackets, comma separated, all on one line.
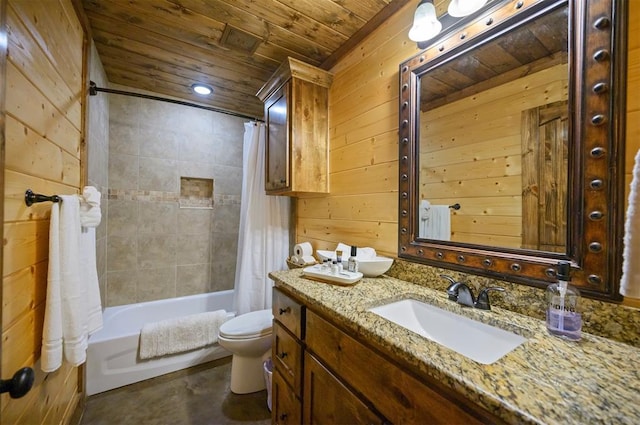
[(546, 380)]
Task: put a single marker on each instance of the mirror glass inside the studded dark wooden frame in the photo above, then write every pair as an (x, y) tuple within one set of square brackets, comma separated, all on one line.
[(493, 138)]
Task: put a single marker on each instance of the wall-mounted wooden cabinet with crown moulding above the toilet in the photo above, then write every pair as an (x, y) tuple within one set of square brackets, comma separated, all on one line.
[(296, 109)]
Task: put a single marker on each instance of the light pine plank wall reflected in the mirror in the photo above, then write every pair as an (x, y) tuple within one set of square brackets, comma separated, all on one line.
[(471, 152)]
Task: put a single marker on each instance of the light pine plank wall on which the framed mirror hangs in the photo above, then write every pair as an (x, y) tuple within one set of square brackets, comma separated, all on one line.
[(363, 119)]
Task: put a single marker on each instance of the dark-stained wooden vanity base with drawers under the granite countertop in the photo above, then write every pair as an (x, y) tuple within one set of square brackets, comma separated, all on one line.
[(335, 377)]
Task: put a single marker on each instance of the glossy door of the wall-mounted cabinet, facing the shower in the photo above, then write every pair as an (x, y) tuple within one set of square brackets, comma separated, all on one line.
[(277, 175)]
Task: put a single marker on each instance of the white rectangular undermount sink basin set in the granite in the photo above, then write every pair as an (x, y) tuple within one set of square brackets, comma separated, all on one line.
[(475, 340)]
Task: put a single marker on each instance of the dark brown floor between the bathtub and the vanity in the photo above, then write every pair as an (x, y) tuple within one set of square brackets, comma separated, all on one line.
[(199, 395)]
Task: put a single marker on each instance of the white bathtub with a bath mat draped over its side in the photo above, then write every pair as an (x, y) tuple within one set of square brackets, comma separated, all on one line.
[(112, 354)]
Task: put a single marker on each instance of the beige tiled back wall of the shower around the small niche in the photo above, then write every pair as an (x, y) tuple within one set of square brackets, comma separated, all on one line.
[(155, 248)]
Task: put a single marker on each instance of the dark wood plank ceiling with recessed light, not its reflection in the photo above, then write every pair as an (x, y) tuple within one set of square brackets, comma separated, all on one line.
[(234, 46)]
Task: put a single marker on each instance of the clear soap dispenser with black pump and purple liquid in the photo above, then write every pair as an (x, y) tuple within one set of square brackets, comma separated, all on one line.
[(564, 319)]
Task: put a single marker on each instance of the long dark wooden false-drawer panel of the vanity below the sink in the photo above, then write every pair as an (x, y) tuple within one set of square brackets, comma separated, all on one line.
[(399, 396)]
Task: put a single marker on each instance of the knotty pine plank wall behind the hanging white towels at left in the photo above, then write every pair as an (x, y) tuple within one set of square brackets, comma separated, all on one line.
[(44, 81)]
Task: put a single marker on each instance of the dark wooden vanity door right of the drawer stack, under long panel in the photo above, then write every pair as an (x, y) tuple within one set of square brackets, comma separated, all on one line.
[(328, 401)]
